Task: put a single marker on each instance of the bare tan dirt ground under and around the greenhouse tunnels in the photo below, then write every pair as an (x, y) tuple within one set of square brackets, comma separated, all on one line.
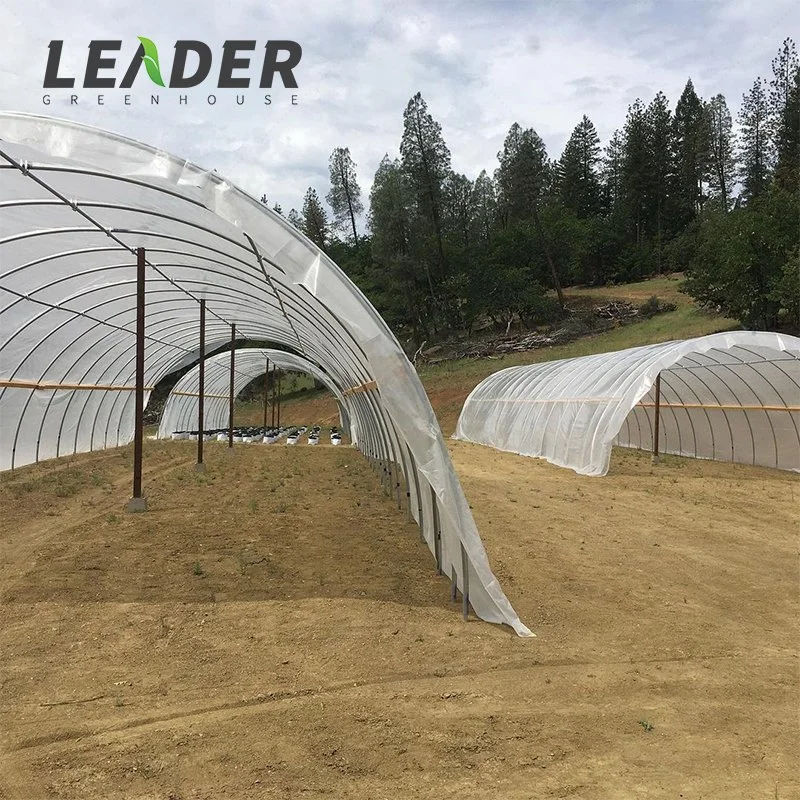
[(274, 628)]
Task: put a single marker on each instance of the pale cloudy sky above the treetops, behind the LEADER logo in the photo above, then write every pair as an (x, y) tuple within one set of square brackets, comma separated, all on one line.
[(480, 65)]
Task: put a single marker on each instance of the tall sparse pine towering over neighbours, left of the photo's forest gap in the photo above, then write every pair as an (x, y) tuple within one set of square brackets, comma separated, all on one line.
[(426, 163)]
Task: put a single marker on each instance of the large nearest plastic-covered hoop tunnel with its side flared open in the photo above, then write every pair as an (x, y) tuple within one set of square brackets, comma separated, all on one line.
[(78, 203)]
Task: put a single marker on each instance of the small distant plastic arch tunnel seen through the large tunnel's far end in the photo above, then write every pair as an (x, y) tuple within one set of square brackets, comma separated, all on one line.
[(181, 409)]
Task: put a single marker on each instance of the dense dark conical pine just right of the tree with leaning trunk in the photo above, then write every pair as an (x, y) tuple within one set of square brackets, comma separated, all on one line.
[(578, 182)]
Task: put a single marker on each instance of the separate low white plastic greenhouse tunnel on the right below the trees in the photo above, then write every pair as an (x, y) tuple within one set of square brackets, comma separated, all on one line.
[(729, 396)]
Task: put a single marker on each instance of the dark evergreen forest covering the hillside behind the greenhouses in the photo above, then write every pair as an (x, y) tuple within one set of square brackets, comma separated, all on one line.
[(675, 189)]
